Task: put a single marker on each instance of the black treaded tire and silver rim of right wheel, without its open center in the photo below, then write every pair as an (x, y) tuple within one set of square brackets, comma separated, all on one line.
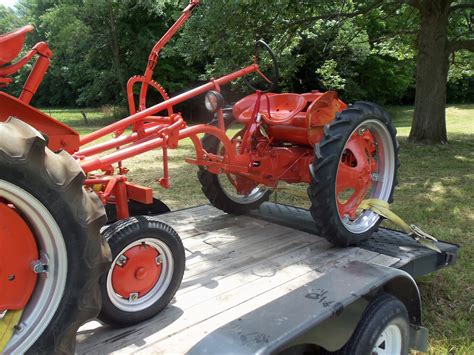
[(322, 191)]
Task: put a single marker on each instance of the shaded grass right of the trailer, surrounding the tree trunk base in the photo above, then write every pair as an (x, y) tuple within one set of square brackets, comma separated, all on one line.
[(436, 192)]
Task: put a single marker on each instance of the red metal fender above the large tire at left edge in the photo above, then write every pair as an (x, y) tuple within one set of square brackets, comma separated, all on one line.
[(60, 136)]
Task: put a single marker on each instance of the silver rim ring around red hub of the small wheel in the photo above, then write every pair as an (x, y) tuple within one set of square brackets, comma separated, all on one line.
[(136, 303)]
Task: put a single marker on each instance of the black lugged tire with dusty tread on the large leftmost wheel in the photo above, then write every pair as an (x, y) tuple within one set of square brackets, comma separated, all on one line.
[(25, 148)]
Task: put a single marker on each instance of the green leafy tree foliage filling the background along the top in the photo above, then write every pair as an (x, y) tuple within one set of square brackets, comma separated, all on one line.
[(365, 49)]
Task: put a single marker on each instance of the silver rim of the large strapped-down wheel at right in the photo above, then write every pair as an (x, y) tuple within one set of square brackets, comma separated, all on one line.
[(381, 174)]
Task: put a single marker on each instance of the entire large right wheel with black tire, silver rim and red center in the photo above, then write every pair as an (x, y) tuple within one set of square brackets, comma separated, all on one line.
[(357, 159)]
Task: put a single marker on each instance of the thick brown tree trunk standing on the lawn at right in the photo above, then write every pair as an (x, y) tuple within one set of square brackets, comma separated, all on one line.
[(432, 64)]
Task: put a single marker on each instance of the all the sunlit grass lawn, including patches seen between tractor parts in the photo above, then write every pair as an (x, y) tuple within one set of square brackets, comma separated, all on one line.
[(435, 192)]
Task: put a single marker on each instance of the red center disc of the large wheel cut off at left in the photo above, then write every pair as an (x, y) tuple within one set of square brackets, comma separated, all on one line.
[(18, 251)]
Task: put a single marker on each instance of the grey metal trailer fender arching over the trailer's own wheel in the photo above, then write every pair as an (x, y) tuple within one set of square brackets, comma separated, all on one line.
[(324, 312)]
